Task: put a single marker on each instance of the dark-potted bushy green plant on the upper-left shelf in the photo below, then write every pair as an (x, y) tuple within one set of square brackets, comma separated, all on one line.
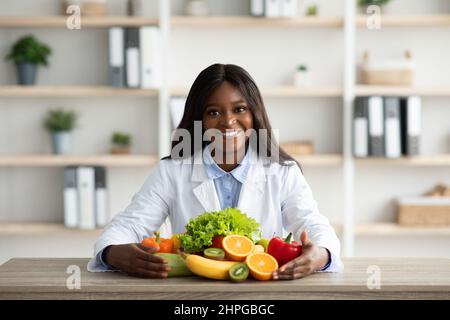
[(27, 53)]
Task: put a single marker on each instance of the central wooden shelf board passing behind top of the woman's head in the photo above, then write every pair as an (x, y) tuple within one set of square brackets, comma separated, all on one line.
[(283, 91)]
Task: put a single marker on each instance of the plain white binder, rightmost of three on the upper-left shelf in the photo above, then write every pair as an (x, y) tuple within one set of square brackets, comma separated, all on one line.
[(150, 57)]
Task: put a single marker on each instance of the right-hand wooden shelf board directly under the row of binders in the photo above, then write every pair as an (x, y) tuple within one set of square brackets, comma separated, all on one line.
[(415, 161)]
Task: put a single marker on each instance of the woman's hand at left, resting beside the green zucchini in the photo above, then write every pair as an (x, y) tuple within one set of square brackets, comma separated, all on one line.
[(136, 260)]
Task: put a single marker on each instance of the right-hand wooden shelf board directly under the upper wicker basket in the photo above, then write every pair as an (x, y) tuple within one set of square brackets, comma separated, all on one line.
[(431, 91)]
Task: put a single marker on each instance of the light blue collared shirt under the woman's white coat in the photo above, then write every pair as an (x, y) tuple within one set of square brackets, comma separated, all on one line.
[(228, 184)]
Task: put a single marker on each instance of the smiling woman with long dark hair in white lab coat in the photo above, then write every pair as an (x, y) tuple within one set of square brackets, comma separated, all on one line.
[(257, 178)]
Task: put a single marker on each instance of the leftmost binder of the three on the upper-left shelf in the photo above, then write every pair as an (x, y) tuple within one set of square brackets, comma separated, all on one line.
[(116, 57)]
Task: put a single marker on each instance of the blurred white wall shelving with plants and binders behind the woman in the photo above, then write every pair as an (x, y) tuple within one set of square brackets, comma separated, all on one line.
[(91, 89)]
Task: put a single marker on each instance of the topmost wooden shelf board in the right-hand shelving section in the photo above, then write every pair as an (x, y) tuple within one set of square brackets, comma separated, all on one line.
[(408, 21)]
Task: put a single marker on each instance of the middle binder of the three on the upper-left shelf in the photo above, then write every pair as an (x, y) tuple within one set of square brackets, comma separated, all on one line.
[(132, 57)]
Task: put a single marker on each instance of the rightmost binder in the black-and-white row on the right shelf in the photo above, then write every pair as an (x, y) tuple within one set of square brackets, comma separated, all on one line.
[(411, 108)]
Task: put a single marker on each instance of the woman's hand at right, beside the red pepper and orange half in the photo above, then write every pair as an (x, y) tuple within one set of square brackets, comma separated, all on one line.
[(313, 258)]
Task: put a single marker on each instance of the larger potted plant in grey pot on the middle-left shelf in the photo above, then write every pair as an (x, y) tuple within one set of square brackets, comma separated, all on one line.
[(60, 124)]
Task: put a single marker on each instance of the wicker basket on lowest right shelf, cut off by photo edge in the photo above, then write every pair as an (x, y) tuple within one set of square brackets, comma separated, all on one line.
[(424, 211)]
